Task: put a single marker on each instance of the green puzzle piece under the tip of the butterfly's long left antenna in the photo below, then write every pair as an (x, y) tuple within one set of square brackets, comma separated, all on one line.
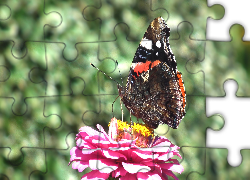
[(77, 74)]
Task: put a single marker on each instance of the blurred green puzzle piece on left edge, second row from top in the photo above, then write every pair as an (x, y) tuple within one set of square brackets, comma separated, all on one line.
[(17, 81)]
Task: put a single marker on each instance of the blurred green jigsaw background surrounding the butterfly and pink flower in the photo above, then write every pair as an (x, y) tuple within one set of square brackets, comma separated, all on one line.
[(49, 90)]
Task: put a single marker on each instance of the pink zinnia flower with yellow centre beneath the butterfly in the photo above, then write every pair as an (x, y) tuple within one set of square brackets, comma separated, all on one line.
[(125, 153)]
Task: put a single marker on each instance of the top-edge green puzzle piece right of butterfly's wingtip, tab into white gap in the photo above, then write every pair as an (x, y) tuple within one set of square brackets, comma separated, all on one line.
[(199, 12)]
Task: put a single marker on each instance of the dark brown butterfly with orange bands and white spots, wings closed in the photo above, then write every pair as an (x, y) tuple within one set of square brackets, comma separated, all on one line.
[(155, 90)]
